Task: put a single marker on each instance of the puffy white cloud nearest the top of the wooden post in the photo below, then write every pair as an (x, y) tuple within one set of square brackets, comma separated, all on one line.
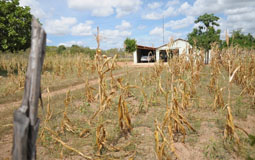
[(60, 26)]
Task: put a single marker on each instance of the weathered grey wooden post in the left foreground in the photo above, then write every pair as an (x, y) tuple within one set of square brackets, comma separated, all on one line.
[(26, 123)]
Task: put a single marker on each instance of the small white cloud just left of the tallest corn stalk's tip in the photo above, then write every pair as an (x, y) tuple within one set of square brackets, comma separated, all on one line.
[(82, 29)]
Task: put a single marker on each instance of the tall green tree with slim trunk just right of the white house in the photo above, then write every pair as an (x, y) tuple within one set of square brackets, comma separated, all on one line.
[(203, 36)]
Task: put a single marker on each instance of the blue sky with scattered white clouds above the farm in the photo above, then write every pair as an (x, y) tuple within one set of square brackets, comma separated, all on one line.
[(70, 22)]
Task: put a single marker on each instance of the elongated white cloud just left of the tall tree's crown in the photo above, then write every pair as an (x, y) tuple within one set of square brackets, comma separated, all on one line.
[(182, 23)]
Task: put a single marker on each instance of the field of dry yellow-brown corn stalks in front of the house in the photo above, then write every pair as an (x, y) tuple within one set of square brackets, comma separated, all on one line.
[(182, 109)]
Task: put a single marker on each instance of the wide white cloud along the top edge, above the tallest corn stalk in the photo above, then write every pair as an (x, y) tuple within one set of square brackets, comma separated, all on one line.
[(106, 7)]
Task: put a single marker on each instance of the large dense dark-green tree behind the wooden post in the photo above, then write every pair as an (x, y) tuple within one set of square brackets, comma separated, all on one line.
[(15, 26)]
